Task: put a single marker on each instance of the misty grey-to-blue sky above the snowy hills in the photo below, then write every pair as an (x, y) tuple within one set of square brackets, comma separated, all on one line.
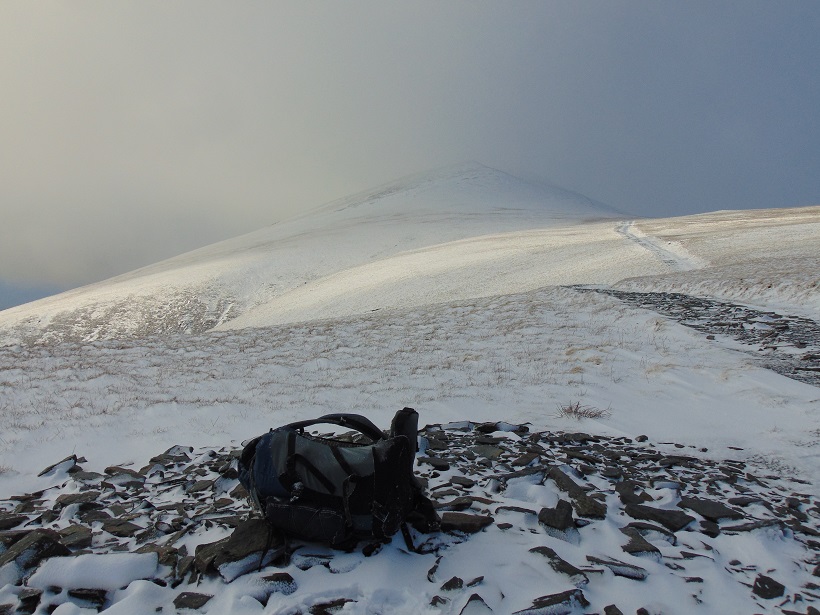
[(135, 131)]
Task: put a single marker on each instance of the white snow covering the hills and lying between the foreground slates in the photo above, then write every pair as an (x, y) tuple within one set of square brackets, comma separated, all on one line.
[(441, 292)]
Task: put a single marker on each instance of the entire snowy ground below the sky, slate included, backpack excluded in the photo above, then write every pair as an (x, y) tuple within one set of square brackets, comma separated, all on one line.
[(438, 292)]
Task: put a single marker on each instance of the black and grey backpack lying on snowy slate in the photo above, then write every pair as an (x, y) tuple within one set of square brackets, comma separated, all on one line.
[(335, 491)]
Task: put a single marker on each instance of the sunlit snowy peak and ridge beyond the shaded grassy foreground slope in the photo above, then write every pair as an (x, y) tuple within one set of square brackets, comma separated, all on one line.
[(456, 233)]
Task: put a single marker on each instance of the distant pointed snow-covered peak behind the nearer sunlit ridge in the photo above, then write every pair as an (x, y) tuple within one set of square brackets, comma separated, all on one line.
[(204, 288)]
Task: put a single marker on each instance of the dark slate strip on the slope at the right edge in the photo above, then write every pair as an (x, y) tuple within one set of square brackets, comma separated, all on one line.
[(788, 345)]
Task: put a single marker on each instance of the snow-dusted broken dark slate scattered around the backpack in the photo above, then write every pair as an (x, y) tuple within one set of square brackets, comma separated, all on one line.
[(590, 510)]
